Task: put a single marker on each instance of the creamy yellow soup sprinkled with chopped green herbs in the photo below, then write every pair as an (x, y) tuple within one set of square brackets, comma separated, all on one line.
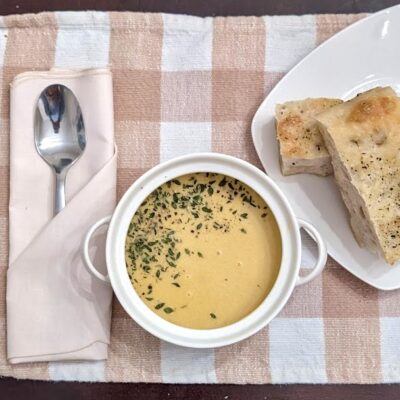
[(203, 251)]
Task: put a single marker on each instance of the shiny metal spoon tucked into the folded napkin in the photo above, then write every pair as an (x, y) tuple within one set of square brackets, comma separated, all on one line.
[(60, 137)]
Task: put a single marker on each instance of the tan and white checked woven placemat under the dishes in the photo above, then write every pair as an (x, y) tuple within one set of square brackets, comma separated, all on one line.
[(184, 84)]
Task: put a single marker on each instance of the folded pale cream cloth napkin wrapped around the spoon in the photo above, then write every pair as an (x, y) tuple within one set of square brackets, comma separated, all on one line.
[(55, 309)]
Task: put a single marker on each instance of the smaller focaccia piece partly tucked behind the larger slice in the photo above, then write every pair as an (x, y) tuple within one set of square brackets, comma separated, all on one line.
[(301, 148)]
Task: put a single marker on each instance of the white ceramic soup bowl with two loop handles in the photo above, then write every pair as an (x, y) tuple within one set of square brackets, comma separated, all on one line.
[(288, 276)]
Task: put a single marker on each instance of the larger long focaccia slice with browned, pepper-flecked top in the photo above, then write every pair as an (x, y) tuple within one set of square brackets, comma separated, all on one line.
[(363, 138)]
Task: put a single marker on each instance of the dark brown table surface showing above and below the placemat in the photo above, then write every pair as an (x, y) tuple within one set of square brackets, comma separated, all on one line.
[(11, 389)]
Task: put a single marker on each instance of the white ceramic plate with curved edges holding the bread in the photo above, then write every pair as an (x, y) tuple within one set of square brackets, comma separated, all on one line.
[(363, 56)]
